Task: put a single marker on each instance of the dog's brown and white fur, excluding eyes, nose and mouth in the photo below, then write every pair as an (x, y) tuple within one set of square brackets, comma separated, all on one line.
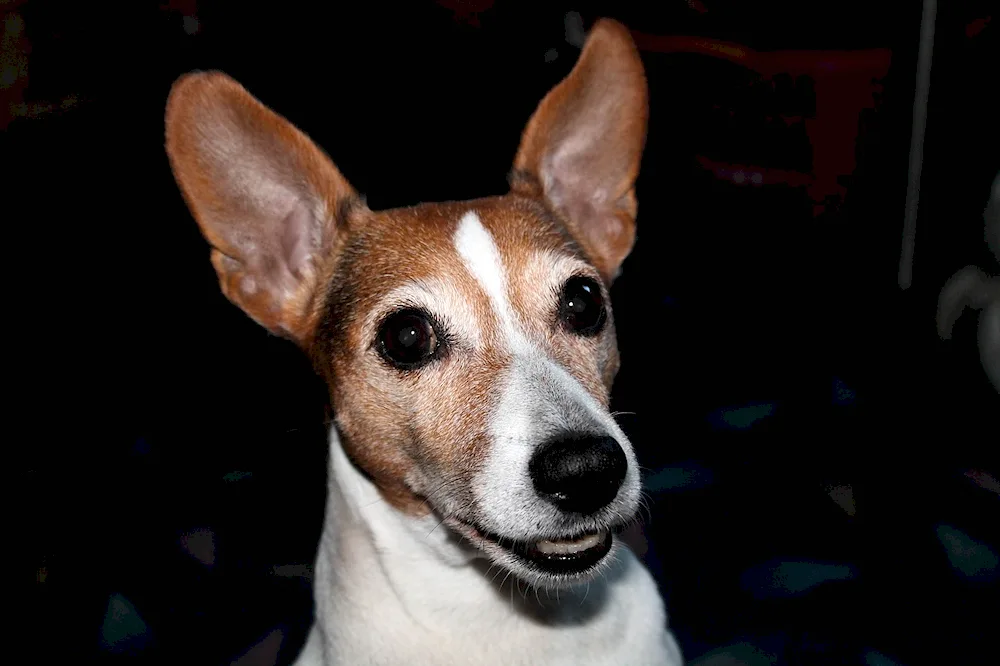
[(449, 442)]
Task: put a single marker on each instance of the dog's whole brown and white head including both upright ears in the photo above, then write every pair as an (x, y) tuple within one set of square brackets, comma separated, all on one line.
[(469, 347)]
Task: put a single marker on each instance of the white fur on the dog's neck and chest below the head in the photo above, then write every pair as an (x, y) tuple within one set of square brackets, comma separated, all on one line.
[(391, 589)]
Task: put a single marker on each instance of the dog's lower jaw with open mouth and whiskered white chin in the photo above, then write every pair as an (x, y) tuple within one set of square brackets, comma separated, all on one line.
[(546, 562)]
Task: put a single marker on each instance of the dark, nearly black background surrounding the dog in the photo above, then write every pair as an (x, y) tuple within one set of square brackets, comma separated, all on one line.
[(822, 468)]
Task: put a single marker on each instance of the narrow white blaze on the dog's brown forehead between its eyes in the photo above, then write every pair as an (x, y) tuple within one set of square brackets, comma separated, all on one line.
[(481, 257)]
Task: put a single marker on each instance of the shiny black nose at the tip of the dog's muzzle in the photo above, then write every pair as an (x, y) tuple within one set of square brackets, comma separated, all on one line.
[(579, 474)]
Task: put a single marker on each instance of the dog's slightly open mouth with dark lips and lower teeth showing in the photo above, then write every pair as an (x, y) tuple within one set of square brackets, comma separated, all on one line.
[(572, 555)]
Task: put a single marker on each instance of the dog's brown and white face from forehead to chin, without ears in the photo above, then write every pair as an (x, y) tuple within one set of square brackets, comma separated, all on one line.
[(486, 338)]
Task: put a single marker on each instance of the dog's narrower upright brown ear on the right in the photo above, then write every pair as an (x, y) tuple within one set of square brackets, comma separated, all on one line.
[(582, 147)]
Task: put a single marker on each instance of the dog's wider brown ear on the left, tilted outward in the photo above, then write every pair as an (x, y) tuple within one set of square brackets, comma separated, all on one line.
[(265, 196)]
